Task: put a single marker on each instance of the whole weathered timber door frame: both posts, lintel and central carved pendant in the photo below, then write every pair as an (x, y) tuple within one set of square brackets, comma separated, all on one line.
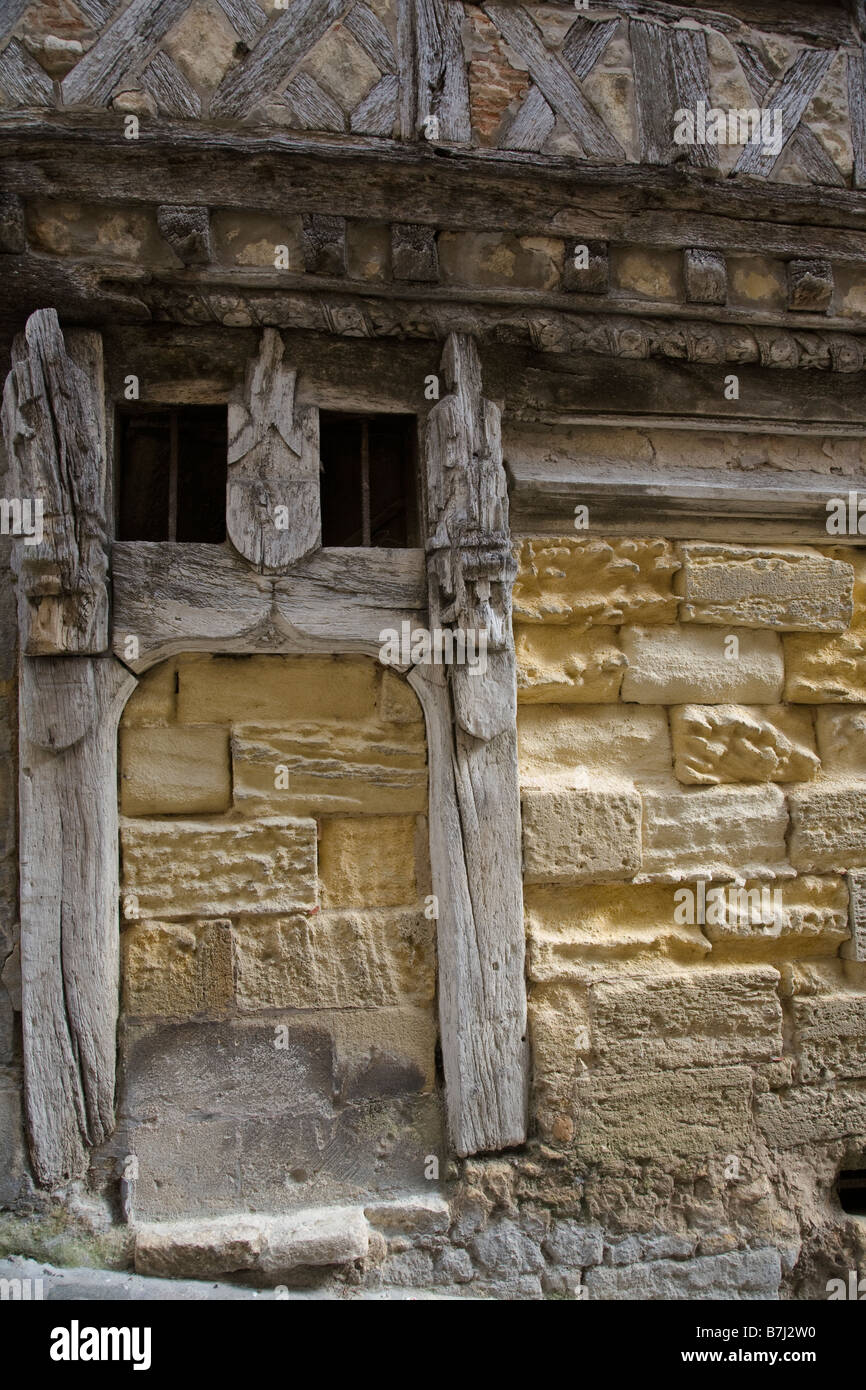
[(283, 594)]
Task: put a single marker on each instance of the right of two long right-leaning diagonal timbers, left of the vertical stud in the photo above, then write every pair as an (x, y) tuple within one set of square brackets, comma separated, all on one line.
[(270, 63)]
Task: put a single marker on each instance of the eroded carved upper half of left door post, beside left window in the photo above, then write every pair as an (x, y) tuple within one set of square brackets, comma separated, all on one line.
[(55, 432)]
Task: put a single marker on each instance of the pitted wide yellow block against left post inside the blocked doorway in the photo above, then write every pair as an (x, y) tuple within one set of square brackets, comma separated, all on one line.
[(199, 868)]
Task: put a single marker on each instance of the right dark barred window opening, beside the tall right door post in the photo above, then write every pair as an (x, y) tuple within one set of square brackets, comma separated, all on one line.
[(369, 491)]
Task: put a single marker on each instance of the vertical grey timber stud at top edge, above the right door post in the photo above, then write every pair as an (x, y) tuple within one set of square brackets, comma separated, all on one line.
[(441, 80)]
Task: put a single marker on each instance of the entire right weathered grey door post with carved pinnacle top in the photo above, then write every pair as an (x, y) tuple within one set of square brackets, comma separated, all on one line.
[(473, 754)]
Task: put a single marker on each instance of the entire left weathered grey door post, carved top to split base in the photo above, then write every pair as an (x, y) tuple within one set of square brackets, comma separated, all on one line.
[(54, 425)]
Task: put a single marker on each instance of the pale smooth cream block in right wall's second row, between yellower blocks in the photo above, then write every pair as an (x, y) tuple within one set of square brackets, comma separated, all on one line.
[(673, 665)]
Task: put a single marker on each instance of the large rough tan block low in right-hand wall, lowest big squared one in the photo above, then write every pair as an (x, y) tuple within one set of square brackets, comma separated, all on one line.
[(694, 1018)]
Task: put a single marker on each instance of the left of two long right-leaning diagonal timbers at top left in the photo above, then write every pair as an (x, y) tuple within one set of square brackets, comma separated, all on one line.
[(124, 47)]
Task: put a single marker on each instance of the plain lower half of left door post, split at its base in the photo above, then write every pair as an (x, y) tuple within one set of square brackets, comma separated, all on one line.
[(69, 906)]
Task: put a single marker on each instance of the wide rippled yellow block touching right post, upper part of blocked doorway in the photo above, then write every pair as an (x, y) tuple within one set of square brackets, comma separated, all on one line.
[(322, 768)]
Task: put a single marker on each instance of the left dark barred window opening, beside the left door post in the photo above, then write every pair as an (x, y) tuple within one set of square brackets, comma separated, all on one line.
[(172, 483)]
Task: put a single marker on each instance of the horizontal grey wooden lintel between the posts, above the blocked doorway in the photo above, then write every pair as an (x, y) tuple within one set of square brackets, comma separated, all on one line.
[(174, 598)]
